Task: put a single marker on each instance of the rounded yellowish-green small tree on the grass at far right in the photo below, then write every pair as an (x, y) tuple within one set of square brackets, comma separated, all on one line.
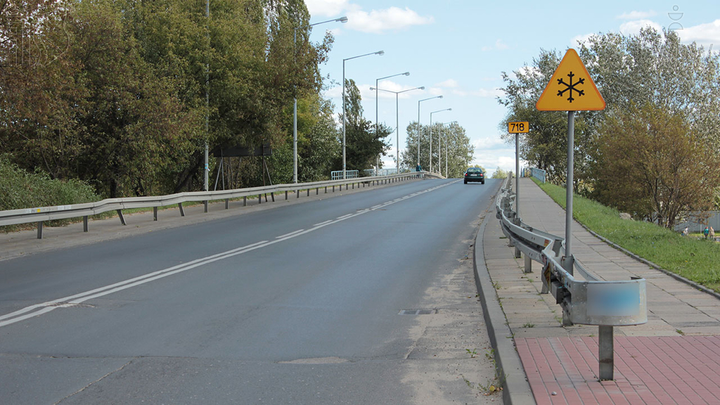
[(652, 164)]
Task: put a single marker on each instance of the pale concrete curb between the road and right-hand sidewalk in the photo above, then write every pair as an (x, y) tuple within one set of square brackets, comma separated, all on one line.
[(516, 389)]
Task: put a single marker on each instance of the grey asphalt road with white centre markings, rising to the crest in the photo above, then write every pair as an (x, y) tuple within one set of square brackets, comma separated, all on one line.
[(302, 304)]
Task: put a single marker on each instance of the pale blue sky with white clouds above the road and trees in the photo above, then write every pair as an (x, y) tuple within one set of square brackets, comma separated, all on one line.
[(459, 49)]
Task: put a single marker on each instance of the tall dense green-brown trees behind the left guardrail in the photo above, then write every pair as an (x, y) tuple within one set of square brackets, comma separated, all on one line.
[(116, 92)]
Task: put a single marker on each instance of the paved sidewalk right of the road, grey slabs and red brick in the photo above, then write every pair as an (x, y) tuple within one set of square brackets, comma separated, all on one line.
[(672, 359)]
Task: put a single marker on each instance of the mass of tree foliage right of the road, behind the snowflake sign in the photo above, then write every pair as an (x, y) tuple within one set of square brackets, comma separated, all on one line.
[(652, 70)]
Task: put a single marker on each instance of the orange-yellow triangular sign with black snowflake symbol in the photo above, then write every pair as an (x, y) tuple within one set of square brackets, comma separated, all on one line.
[(570, 88)]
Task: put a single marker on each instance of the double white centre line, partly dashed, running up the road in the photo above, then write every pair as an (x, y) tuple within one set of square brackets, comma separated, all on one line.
[(48, 306)]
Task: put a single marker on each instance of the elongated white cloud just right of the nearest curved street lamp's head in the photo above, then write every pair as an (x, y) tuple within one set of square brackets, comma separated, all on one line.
[(379, 21)]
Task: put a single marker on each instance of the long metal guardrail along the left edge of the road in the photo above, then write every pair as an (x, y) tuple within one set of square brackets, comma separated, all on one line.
[(41, 214)]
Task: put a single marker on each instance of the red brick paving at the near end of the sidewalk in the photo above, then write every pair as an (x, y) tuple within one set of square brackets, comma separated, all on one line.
[(648, 370)]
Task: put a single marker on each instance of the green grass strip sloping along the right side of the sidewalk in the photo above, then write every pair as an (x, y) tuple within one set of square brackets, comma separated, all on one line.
[(692, 258)]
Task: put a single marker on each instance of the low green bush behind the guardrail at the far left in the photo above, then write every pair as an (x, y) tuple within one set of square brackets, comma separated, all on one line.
[(20, 189)]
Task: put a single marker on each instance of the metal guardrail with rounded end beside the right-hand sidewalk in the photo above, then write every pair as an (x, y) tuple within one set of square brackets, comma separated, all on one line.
[(587, 301)]
